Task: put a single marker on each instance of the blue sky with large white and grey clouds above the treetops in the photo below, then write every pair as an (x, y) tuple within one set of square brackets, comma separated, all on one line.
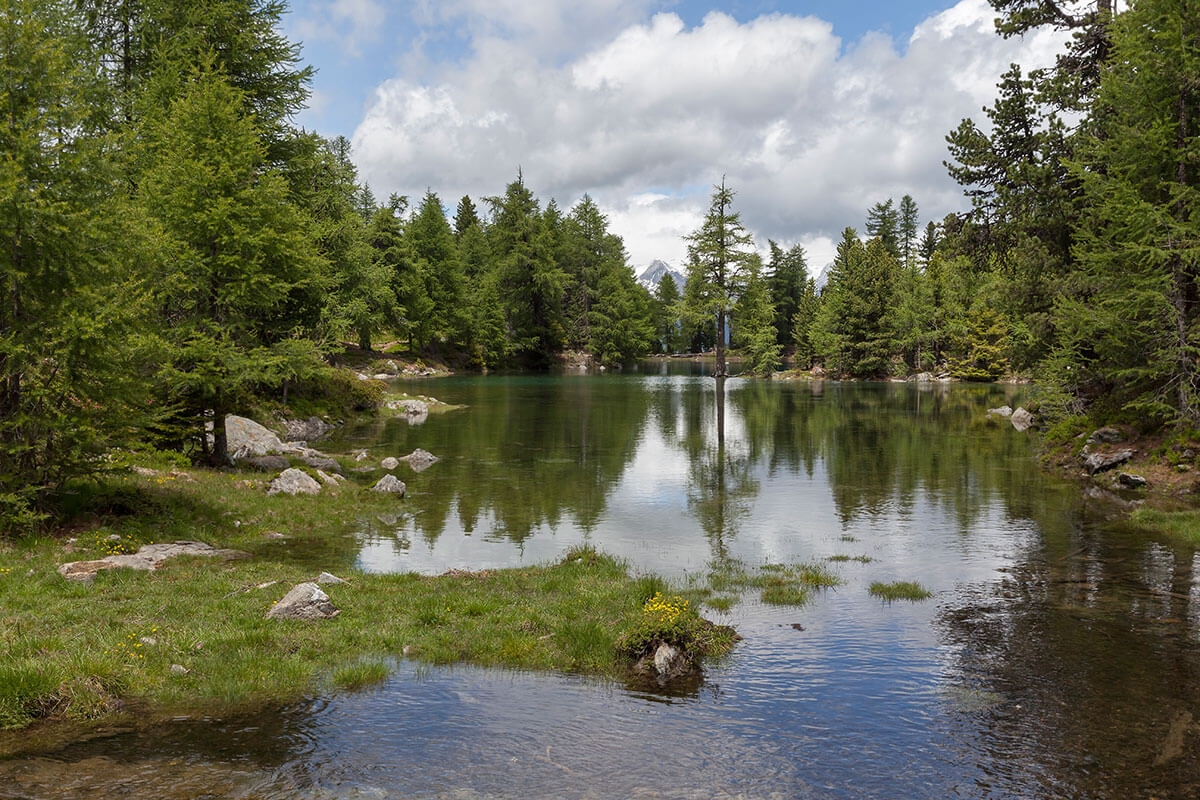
[(813, 111)]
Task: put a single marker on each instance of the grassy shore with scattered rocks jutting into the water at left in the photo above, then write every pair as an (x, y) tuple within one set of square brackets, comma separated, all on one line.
[(193, 636)]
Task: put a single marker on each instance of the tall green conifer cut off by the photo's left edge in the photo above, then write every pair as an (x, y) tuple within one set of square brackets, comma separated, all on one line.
[(69, 263)]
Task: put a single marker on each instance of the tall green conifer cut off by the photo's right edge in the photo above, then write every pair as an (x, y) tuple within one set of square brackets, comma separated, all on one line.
[(1136, 326)]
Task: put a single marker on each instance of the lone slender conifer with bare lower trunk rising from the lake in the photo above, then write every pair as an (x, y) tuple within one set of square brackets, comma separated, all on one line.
[(718, 257)]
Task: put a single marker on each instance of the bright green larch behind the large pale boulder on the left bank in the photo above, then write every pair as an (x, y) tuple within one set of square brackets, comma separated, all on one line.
[(238, 252)]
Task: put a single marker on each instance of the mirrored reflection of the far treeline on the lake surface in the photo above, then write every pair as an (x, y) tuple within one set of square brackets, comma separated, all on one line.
[(531, 454)]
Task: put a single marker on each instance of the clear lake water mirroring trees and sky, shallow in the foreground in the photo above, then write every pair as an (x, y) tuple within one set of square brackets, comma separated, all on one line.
[(1060, 657)]
